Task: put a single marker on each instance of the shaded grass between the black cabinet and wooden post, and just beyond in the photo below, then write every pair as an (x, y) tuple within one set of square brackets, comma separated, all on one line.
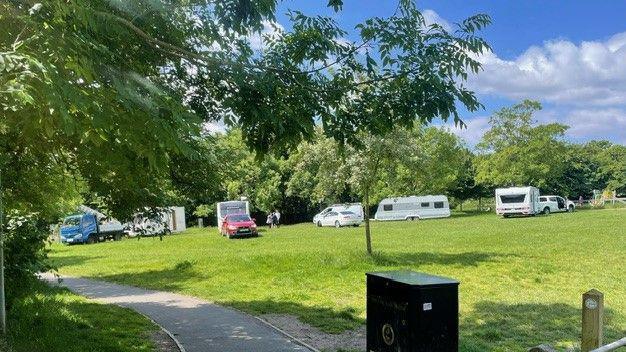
[(517, 327)]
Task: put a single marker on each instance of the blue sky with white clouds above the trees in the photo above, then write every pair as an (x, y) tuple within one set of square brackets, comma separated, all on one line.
[(569, 55)]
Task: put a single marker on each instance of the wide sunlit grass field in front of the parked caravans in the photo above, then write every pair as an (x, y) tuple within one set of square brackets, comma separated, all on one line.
[(521, 279)]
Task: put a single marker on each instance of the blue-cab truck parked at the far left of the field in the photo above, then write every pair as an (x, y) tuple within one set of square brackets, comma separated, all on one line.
[(90, 227)]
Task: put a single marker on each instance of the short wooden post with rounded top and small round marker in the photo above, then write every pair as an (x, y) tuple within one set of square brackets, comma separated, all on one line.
[(593, 312)]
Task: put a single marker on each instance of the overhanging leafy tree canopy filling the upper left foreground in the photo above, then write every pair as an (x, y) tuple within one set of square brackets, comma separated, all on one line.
[(104, 90)]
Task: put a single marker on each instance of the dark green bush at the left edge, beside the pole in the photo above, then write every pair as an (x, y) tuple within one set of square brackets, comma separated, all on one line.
[(25, 252)]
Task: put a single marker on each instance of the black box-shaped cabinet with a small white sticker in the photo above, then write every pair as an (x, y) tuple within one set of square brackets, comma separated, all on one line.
[(412, 312)]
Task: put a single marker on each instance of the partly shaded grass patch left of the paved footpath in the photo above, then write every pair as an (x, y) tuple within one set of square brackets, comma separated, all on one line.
[(56, 320)]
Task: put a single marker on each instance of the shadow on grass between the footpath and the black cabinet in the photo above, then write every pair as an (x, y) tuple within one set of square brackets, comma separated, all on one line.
[(326, 319)]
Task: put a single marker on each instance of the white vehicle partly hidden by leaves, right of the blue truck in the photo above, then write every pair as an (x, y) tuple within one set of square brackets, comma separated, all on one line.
[(169, 220)]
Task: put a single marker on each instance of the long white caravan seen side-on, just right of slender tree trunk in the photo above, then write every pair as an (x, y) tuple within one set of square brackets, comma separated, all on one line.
[(413, 208)]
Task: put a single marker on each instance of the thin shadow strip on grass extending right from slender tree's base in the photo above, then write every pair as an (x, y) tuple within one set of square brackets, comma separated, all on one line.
[(426, 258)]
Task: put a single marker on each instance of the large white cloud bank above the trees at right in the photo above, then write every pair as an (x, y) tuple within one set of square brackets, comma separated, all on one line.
[(559, 71)]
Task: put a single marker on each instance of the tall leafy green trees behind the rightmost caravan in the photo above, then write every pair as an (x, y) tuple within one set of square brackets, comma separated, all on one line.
[(518, 151)]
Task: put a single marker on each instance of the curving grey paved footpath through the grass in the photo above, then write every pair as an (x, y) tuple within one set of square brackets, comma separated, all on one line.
[(198, 325)]
